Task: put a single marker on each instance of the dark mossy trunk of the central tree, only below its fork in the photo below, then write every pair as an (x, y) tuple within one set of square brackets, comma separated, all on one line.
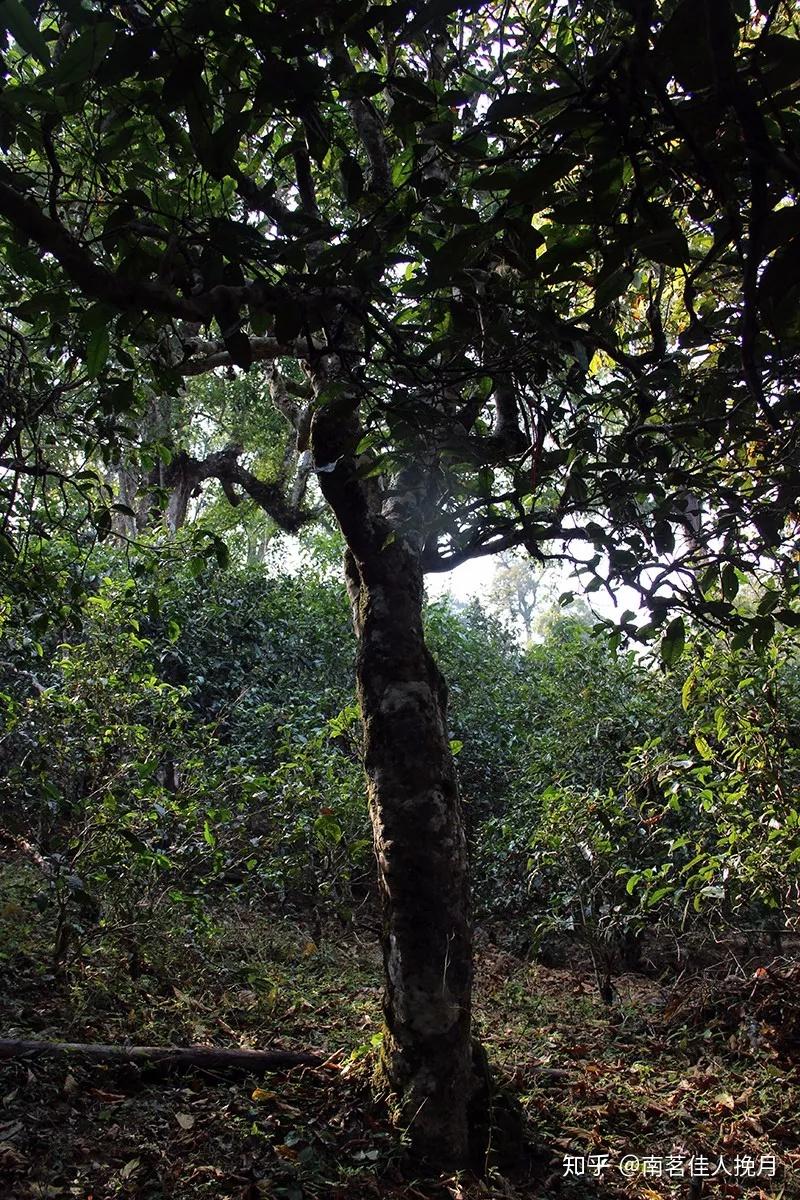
[(422, 851)]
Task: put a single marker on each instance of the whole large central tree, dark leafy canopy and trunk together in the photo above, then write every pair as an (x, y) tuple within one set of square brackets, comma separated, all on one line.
[(528, 278)]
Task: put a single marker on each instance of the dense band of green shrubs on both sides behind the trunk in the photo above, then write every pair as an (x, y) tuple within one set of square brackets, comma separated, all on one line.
[(199, 737)]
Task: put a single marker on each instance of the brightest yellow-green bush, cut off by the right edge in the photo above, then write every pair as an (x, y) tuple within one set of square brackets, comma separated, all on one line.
[(730, 795)]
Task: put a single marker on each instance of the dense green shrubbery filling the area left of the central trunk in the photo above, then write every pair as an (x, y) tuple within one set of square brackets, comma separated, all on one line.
[(190, 743)]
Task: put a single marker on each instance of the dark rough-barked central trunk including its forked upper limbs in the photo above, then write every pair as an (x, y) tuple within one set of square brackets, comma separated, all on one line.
[(414, 802)]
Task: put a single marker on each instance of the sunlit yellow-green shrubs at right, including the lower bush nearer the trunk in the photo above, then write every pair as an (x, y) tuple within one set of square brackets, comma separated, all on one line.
[(700, 832)]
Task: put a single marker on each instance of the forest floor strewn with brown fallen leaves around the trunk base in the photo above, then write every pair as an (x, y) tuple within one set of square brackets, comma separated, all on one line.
[(701, 1079)]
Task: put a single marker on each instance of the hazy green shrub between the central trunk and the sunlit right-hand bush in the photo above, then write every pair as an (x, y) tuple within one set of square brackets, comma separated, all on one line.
[(581, 709)]
